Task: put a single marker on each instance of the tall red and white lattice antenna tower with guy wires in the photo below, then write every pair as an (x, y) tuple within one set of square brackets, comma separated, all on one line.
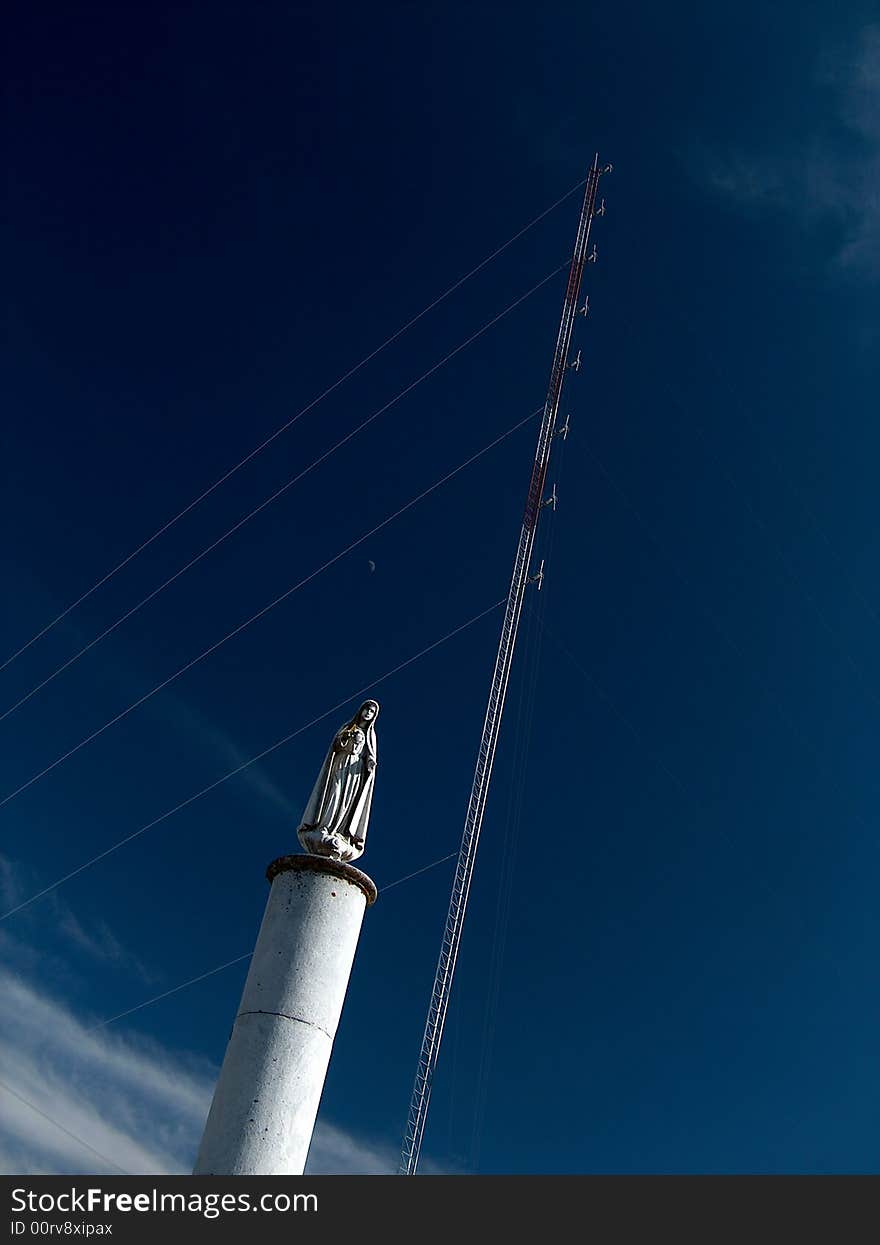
[(501, 677)]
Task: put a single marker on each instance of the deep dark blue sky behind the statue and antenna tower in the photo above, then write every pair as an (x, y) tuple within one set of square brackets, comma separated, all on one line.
[(670, 959)]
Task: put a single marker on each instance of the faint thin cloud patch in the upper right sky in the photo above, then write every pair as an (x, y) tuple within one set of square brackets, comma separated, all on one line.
[(832, 176)]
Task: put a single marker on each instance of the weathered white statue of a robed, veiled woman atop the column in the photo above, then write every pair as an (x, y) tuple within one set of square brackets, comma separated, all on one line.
[(335, 820)]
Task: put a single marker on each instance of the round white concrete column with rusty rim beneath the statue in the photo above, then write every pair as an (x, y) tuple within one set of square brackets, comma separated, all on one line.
[(267, 1096)]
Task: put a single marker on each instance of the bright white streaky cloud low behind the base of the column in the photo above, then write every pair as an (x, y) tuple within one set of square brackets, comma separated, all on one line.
[(103, 1101)]
